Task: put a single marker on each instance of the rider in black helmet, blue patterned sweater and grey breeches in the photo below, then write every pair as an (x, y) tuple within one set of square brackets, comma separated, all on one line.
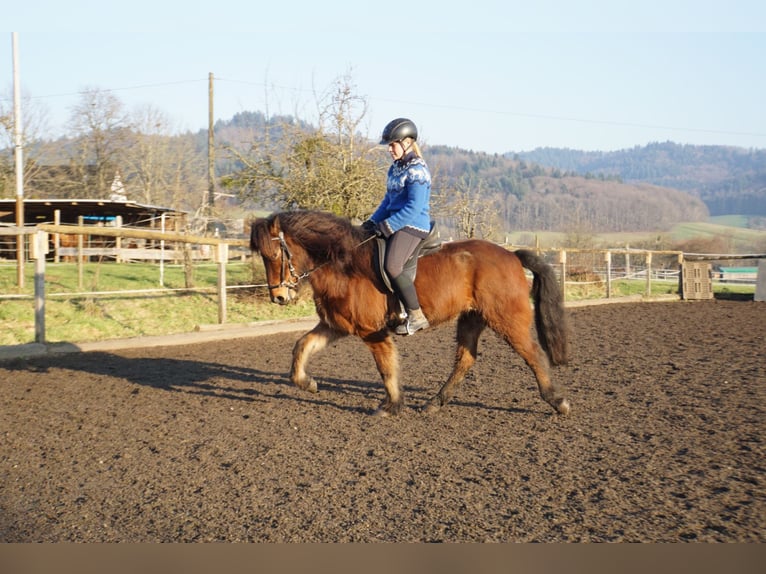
[(403, 216)]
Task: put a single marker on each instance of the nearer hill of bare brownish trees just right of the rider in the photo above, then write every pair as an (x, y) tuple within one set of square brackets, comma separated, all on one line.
[(526, 195)]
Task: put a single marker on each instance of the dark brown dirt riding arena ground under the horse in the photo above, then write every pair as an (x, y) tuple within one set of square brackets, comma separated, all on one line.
[(209, 442)]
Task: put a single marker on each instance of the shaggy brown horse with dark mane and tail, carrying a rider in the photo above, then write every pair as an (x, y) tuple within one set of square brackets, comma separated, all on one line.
[(479, 283)]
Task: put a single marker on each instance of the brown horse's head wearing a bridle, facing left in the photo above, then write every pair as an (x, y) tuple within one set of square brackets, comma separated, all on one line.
[(268, 239)]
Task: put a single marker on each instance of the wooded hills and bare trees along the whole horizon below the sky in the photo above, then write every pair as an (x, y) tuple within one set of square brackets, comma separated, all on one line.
[(282, 162)]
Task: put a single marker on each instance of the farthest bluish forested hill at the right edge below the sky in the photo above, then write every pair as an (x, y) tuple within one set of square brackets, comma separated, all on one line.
[(729, 180)]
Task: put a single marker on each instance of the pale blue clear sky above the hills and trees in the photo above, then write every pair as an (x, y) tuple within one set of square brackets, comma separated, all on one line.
[(494, 76)]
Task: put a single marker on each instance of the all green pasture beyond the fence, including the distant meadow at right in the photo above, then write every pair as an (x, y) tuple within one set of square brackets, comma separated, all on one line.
[(116, 300)]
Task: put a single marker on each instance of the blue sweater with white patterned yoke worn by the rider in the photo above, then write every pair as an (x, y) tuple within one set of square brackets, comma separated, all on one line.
[(406, 204)]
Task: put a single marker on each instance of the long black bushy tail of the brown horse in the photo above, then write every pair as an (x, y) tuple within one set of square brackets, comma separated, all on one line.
[(550, 318)]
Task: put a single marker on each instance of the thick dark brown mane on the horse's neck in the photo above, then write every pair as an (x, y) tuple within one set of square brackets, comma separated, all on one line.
[(324, 236)]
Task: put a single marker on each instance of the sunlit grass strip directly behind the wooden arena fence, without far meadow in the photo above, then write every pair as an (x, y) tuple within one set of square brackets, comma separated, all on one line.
[(126, 300)]
